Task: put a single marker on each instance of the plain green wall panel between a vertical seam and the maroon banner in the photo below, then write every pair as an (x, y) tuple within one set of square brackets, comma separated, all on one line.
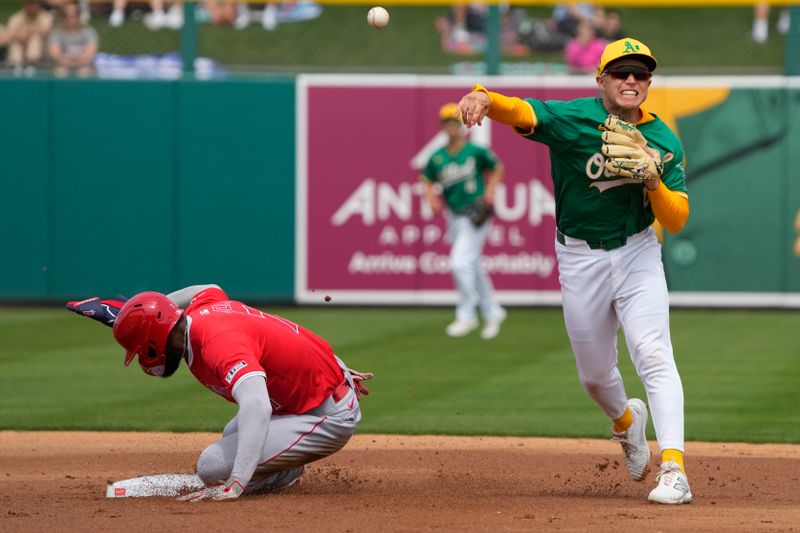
[(236, 181)]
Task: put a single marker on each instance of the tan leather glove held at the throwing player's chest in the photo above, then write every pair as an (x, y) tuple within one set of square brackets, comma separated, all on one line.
[(626, 151)]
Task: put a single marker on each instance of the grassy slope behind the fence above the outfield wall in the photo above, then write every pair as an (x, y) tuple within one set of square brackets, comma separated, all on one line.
[(686, 40)]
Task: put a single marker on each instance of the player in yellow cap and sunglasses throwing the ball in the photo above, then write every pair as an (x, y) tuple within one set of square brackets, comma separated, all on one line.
[(615, 168)]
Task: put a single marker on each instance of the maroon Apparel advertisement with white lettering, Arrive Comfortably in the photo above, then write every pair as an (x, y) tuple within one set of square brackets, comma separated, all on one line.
[(366, 234)]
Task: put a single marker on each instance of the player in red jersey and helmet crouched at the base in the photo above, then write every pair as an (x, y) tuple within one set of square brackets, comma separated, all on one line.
[(297, 401)]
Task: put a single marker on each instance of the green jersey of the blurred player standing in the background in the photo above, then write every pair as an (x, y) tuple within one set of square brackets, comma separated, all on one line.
[(460, 174)]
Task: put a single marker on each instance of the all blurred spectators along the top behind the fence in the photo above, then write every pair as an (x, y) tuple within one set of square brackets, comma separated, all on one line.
[(57, 34)]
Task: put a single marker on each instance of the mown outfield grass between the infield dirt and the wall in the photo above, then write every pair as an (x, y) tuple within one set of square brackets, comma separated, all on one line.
[(740, 373)]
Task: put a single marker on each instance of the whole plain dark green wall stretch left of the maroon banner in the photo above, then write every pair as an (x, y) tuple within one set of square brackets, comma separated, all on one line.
[(121, 186)]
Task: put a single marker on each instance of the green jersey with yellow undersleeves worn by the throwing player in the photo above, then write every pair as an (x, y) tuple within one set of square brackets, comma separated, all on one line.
[(592, 204)]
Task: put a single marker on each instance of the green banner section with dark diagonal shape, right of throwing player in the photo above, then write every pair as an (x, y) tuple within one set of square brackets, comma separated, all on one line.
[(744, 195)]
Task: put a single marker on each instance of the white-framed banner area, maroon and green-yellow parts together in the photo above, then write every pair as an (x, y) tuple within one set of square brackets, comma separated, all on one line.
[(365, 233)]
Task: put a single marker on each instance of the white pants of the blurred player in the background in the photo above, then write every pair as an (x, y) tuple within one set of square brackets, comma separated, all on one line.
[(472, 282)]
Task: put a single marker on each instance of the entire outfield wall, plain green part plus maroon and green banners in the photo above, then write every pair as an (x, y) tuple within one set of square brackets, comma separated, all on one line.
[(120, 186)]
